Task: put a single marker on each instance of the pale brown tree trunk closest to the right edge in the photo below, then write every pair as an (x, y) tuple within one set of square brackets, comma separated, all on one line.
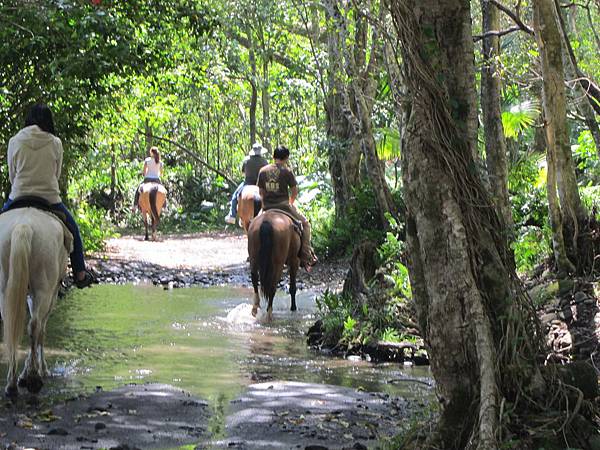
[(573, 215)]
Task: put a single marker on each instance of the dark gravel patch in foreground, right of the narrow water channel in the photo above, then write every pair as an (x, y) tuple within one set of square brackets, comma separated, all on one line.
[(285, 414)]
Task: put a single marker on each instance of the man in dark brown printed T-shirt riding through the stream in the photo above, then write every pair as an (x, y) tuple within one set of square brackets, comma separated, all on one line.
[(278, 190)]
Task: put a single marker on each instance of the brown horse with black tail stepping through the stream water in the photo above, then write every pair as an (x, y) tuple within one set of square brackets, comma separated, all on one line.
[(272, 243)]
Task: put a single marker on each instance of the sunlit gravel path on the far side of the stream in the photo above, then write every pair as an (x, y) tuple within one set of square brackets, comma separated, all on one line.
[(200, 259)]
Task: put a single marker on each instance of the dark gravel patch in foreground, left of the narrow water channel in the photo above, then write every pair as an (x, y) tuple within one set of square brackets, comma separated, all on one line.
[(133, 416)]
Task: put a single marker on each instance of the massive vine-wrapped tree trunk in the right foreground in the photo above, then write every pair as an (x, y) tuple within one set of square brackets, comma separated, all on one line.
[(459, 264)]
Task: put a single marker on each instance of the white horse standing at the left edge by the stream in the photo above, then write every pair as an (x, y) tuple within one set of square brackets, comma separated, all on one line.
[(34, 246)]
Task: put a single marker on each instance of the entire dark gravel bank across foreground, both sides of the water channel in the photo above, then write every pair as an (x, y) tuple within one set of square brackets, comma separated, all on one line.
[(273, 415)]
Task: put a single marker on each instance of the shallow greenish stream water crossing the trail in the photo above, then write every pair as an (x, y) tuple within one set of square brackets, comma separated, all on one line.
[(111, 335)]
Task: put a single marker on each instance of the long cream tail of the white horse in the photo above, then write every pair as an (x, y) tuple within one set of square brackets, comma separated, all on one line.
[(15, 297)]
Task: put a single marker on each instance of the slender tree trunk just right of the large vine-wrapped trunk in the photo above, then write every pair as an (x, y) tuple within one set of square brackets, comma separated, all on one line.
[(491, 90)]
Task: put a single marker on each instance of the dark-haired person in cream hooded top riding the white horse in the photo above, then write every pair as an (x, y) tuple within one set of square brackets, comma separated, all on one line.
[(34, 159)]
